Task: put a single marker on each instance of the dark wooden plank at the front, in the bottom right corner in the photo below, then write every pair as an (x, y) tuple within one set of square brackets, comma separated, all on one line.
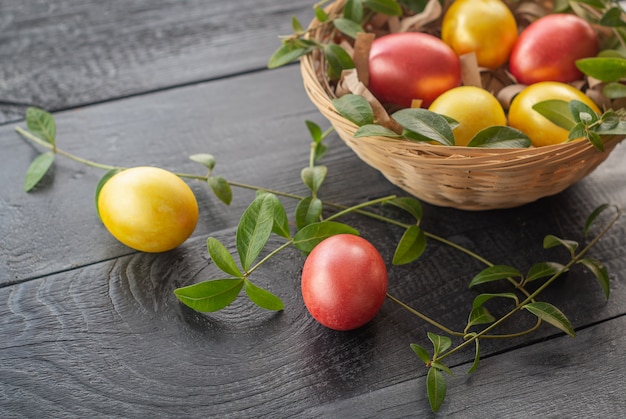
[(579, 378)]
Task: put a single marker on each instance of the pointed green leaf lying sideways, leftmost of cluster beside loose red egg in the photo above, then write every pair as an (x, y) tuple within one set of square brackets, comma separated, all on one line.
[(210, 296)]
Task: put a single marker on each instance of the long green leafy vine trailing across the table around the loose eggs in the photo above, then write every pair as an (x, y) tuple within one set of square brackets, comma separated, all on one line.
[(316, 220)]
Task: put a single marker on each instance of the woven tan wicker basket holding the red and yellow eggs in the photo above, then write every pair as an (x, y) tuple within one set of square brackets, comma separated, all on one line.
[(460, 177)]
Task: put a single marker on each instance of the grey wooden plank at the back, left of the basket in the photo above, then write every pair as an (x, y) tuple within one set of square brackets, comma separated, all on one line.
[(73, 52)]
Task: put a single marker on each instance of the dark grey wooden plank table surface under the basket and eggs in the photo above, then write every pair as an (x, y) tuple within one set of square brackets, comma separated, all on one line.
[(91, 328)]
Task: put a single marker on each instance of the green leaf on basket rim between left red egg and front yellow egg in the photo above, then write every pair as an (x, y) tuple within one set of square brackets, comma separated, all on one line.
[(426, 125)]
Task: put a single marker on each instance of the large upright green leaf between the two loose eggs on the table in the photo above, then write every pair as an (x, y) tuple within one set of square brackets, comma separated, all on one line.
[(254, 229)]
